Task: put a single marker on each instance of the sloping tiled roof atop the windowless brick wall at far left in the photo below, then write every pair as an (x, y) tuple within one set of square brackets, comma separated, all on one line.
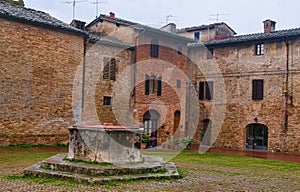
[(34, 17)]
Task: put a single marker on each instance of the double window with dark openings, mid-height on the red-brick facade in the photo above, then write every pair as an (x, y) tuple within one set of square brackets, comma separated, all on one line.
[(153, 85)]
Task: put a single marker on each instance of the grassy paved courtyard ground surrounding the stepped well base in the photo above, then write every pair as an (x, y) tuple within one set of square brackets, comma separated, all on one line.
[(200, 172)]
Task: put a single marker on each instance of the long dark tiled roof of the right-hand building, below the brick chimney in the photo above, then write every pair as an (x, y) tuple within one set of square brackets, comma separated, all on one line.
[(257, 37)]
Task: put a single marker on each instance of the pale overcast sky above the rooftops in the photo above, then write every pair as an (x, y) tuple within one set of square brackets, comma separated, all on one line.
[(244, 16)]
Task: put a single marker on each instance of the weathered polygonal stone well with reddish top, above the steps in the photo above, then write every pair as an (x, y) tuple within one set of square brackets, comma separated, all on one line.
[(105, 143)]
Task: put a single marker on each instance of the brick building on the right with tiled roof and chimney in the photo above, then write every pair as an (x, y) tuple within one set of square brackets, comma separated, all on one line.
[(260, 75)]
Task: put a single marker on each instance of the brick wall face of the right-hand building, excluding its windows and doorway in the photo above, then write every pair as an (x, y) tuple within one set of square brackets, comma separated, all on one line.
[(238, 66)]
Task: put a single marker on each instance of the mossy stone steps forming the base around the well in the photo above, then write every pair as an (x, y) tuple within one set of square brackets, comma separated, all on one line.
[(56, 167)]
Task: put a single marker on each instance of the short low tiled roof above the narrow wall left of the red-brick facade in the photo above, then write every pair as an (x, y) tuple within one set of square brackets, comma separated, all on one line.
[(107, 40)]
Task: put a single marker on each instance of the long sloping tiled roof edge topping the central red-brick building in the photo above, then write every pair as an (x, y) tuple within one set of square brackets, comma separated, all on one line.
[(138, 27)]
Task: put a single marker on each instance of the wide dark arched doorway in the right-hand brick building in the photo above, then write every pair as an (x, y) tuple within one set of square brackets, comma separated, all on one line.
[(257, 136)]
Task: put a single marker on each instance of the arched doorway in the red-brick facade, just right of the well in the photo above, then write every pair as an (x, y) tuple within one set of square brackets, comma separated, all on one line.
[(151, 123)]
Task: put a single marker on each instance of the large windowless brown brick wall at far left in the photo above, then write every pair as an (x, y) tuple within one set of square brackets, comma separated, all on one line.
[(37, 72)]
